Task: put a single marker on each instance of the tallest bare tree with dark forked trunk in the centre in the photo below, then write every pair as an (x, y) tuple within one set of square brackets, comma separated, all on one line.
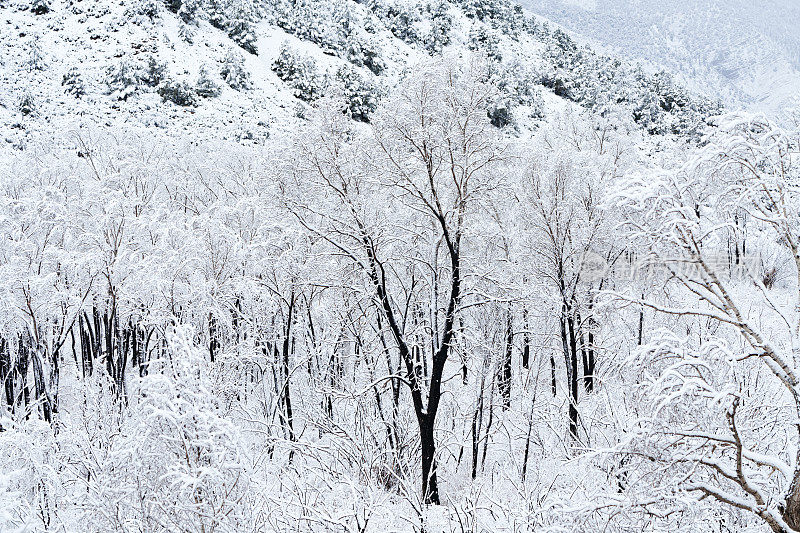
[(429, 161)]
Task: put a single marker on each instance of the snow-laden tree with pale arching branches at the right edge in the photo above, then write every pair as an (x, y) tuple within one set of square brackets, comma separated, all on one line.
[(704, 418)]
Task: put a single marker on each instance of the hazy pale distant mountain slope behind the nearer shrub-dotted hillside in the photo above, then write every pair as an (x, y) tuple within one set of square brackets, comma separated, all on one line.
[(747, 53)]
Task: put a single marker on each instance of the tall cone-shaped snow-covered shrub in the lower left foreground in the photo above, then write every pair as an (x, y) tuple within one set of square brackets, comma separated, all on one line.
[(176, 464)]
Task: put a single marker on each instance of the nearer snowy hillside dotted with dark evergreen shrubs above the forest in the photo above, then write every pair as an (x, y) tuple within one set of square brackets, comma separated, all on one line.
[(107, 65)]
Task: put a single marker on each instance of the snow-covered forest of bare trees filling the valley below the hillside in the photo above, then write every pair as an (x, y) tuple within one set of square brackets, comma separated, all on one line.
[(410, 312)]
